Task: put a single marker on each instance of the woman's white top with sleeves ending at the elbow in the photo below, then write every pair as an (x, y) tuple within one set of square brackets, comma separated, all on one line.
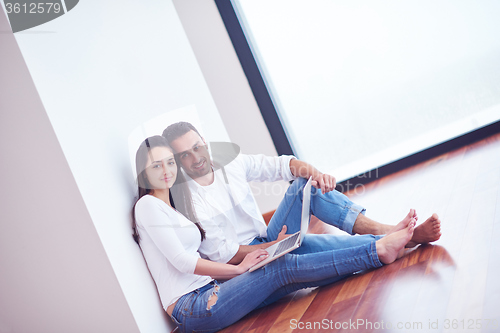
[(169, 243)]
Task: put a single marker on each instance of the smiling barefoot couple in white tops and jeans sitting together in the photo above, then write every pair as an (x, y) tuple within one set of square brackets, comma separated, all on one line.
[(202, 224)]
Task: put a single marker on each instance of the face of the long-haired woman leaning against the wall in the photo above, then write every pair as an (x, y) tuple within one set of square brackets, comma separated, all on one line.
[(161, 169)]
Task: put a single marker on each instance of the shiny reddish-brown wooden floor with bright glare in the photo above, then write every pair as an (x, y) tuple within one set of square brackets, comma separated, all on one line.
[(450, 286)]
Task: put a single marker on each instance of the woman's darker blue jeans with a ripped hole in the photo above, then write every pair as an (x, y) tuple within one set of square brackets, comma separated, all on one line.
[(237, 297)]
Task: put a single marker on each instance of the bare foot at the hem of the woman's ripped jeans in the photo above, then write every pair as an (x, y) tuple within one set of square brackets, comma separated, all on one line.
[(390, 247)]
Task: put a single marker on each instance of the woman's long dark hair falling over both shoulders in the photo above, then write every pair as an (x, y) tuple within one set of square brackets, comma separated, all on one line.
[(180, 196)]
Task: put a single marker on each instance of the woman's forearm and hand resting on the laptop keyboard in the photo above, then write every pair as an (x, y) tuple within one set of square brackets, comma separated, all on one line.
[(221, 271)]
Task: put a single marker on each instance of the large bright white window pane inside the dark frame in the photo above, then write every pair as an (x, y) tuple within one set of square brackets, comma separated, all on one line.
[(358, 84)]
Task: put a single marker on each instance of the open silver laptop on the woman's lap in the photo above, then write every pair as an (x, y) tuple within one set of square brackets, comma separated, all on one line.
[(295, 240)]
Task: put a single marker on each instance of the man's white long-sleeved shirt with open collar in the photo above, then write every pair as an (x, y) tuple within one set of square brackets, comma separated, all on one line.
[(228, 211)]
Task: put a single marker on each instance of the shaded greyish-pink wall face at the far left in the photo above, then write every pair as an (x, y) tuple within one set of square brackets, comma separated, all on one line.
[(54, 272)]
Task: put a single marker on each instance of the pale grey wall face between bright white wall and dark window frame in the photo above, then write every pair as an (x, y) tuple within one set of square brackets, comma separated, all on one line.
[(230, 89)]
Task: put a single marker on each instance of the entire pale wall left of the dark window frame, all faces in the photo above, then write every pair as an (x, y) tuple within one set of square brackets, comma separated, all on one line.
[(71, 93)]
